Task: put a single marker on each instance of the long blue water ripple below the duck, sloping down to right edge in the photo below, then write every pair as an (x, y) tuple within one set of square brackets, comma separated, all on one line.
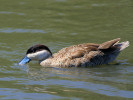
[(97, 88)]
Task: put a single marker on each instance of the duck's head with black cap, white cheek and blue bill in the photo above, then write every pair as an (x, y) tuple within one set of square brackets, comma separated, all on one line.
[(37, 52)]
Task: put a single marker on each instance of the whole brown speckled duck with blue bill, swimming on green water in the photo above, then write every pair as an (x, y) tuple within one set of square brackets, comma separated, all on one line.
[(81, 55)]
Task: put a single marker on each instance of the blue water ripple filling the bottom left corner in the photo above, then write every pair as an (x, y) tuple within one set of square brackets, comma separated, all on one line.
[(20, 95)]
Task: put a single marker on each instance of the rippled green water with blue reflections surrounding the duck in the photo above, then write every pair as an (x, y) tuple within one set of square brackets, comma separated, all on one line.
[(58, 24)]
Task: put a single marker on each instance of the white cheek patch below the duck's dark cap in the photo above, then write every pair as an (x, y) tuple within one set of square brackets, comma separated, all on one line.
[(40, 55)]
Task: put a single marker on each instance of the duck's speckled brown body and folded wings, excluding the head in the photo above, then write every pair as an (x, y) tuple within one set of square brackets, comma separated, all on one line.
[(87, 54)]
